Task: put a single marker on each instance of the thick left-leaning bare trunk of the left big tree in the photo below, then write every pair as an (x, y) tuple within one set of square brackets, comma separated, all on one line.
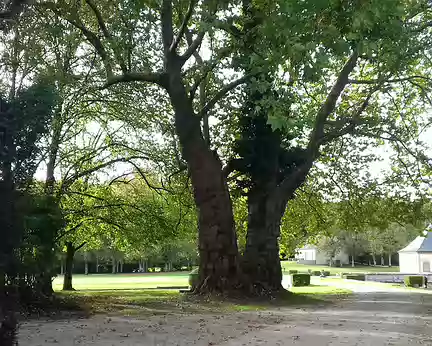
[(219, 266)]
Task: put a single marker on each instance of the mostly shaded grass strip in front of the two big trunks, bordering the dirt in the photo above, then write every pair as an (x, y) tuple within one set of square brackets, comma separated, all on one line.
[(155, 302)]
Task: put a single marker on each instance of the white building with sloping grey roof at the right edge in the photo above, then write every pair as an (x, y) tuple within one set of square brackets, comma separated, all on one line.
[(416, 257)]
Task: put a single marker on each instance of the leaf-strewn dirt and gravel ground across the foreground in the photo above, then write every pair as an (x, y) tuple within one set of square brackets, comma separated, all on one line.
[(375, 318)]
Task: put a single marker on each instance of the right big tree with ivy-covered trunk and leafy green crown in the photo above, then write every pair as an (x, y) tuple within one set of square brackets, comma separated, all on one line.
[(342, 73)]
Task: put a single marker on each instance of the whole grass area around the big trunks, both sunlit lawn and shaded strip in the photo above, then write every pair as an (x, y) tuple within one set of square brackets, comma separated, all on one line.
[(131, 294)]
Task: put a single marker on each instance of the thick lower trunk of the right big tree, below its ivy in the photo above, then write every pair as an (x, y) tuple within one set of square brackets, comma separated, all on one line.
[(261, 262)]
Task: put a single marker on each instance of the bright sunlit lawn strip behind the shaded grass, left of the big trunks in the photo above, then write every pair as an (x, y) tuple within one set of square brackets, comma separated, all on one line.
[(124, 281)]
